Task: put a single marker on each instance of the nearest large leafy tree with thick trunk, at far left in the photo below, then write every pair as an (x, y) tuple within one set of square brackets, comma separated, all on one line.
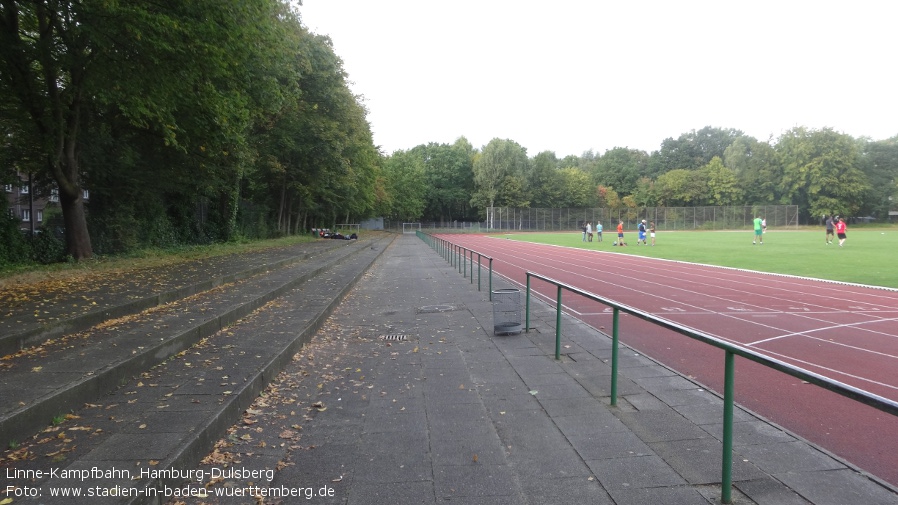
[(74, 64)]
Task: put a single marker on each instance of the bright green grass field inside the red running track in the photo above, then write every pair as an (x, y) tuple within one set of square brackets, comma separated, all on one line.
[(870, 256)]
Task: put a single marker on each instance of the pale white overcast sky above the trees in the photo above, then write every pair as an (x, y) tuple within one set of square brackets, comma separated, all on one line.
[(573, 75)]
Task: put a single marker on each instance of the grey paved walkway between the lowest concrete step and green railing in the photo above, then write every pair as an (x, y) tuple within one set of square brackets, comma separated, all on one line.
[(452, 413)]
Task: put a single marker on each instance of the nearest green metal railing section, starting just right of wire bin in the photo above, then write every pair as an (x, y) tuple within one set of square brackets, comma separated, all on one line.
[(730, 351)]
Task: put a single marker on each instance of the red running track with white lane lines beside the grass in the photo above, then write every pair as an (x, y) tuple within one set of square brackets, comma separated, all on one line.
[(845, 332)]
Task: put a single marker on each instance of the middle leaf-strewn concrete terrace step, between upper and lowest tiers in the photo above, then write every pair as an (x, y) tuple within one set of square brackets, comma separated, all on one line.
[(46, 382)]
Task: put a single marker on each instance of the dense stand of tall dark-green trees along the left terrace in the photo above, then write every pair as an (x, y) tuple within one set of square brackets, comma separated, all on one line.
[(196, 121)]
